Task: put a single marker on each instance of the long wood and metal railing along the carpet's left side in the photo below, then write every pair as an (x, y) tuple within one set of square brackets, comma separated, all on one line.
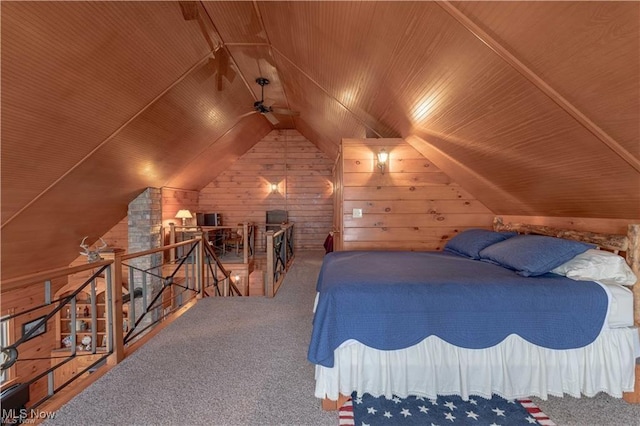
[(136, 293)]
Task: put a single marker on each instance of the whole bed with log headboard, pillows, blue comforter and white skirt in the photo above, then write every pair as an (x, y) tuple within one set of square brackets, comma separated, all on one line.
[(496, 312)]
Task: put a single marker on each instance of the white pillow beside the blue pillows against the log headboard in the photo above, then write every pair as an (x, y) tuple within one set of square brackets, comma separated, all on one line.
[(597, 265)]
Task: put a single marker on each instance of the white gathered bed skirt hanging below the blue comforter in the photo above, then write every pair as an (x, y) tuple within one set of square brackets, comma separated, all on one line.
[(512, 369)]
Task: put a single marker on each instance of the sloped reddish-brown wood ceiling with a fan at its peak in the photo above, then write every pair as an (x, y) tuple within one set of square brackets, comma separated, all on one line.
[(533, 107)]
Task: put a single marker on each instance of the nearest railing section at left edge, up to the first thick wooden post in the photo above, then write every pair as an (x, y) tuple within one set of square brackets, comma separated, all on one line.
[(48, 312)]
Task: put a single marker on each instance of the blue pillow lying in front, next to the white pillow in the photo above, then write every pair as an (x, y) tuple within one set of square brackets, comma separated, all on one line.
[(531, 255)]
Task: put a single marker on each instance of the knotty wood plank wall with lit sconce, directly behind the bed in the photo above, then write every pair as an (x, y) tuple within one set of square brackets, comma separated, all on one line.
[(412, 206)]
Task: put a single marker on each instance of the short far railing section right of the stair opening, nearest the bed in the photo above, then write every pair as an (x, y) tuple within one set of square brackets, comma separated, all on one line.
[(280, 254)]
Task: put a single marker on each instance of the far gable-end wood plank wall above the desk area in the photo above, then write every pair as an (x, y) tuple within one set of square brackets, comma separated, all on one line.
[(303, 175)]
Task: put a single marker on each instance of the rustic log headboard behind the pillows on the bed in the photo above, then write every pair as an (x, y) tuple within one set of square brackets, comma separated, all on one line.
[(627, 245)]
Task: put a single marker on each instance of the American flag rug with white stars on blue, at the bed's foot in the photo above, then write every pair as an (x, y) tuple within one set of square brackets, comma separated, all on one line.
[(367, 410)]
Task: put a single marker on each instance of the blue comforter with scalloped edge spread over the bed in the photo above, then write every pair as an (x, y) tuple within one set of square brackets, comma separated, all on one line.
[(392, 300)]
